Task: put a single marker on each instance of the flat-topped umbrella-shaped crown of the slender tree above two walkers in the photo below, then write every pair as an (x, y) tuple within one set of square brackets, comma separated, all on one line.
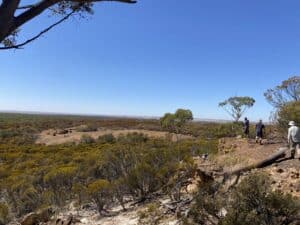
[(237, 106)]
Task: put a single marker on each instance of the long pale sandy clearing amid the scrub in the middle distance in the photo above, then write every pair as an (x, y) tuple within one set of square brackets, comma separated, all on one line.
[(46, 137)]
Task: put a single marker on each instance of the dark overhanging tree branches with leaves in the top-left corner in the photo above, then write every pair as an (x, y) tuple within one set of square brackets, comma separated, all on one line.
[(16, 13)]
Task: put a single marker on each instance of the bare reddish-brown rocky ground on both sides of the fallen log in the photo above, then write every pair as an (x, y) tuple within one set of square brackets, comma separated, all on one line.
[(285, 173)]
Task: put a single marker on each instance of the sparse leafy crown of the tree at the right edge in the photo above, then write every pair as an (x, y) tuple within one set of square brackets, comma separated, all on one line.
[(287, 91)]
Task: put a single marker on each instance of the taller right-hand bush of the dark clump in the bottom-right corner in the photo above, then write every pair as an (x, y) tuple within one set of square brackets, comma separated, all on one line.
[(254, 202)]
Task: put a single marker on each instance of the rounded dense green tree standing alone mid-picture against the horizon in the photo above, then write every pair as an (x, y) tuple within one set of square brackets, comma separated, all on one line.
[(175, 122)]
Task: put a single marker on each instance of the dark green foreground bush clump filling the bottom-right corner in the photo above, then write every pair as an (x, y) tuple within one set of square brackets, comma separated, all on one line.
[(251, 202)]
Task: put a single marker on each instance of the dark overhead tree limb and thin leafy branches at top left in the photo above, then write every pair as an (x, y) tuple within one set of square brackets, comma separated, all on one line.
[(10, 22)]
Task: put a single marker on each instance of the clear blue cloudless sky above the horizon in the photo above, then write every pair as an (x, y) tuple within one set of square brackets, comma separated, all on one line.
[(154, 57)]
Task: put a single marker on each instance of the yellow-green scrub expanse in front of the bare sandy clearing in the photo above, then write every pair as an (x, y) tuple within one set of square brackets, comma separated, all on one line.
[(105, 171)]
